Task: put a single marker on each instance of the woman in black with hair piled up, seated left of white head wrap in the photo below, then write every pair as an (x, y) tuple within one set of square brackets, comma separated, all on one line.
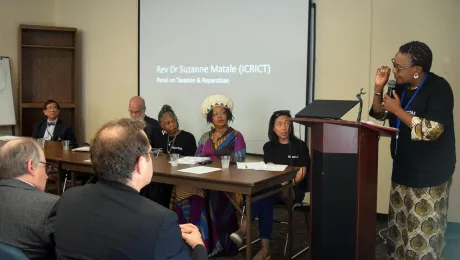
[(170, 139)]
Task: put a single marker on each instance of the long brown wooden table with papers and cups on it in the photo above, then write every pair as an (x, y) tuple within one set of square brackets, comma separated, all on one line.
[(254, 184)]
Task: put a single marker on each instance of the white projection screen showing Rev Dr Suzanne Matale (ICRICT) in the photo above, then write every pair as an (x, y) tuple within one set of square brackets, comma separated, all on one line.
[(253, 51)]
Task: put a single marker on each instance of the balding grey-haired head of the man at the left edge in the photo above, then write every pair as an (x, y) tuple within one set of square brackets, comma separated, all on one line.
[(15, 156)]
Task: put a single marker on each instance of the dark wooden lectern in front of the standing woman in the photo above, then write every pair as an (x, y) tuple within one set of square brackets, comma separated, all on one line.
[(343, 186)]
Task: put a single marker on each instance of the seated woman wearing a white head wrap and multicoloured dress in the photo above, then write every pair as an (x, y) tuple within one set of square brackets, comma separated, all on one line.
[(222, 140)]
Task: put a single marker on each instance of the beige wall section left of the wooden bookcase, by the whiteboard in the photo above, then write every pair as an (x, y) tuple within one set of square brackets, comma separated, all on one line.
[(12, 14)]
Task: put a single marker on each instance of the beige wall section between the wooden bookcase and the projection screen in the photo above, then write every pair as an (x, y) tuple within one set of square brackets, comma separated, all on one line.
[(108, 44)]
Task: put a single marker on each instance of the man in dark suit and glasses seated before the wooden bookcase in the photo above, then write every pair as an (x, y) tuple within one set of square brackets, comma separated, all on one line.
[(53, 128)]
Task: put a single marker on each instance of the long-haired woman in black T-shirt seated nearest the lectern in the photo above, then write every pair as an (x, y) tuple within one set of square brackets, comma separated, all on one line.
[(283, 148)]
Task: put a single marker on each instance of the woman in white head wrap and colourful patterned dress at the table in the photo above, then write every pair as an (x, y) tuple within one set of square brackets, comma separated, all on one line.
[(221, 140)]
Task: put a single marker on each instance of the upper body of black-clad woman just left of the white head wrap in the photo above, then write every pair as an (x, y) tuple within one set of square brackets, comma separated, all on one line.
[(169, 138)]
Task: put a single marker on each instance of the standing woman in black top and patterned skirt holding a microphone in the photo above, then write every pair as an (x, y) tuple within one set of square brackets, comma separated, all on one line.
[(423, 152)]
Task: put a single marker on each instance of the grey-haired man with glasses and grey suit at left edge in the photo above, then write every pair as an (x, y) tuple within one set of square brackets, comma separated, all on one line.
[(27, 213)]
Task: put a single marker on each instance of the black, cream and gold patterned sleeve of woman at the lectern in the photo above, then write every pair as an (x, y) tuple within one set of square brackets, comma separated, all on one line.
[(426, 130)]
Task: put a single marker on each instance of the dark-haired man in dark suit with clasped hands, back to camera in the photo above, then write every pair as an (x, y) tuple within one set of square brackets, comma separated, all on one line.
[(109, 219)]
